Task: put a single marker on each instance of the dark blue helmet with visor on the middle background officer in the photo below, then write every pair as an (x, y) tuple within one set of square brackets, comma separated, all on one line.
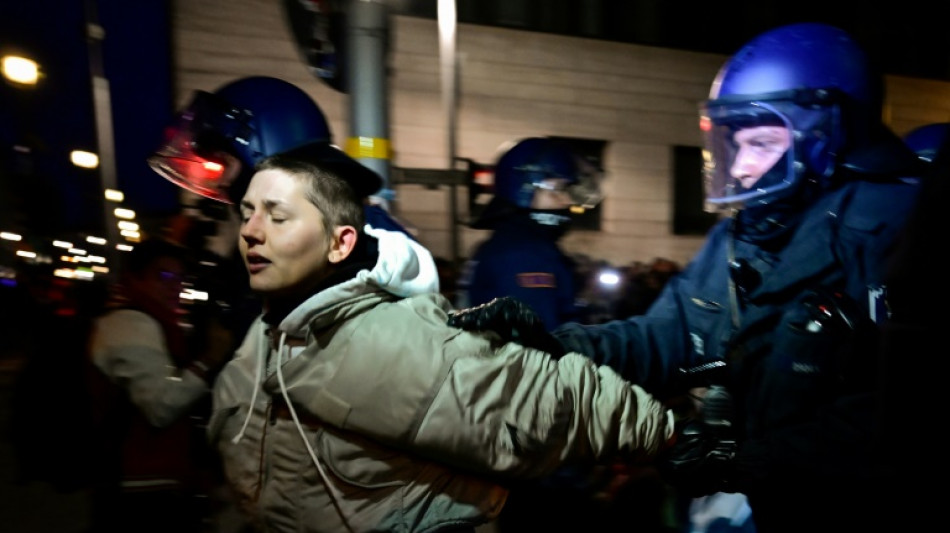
[(534, 163)]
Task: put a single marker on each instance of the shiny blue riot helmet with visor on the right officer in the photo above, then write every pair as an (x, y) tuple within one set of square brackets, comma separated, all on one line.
[(781, 114)]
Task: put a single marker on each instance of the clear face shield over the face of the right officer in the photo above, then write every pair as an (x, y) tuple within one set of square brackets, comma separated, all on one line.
[(748, 157)]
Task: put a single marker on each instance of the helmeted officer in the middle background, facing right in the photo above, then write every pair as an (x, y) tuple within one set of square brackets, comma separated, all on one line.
[(537, 181)]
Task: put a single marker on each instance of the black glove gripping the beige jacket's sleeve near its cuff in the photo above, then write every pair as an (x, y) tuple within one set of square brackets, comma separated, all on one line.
[(702, 460)]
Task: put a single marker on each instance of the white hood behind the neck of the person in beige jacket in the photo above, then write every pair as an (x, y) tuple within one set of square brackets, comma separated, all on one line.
[(403, 268)]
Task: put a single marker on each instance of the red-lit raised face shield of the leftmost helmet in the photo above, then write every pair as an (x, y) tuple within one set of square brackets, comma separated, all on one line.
[(199, 150)]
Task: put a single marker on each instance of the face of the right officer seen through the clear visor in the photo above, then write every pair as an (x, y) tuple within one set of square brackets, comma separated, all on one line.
[(757, 151)]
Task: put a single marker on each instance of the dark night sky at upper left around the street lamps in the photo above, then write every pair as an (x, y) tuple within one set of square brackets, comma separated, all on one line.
[(42, 189)]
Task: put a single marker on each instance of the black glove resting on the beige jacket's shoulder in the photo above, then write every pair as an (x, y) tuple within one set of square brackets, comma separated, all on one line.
[(512, 319)]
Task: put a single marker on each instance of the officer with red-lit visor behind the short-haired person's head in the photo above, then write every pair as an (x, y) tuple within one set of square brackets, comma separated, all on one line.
[(210, 148)]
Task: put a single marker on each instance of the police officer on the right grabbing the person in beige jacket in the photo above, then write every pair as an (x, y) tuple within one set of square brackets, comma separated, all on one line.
[(786, 297)]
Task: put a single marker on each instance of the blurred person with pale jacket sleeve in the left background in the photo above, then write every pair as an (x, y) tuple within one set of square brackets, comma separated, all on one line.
[(148, 391)]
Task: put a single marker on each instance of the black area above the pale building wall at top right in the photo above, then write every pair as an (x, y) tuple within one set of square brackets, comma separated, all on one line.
[(908, 38)]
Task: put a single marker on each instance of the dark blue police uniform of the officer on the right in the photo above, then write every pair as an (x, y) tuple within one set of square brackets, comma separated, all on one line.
[(796, 317)]
